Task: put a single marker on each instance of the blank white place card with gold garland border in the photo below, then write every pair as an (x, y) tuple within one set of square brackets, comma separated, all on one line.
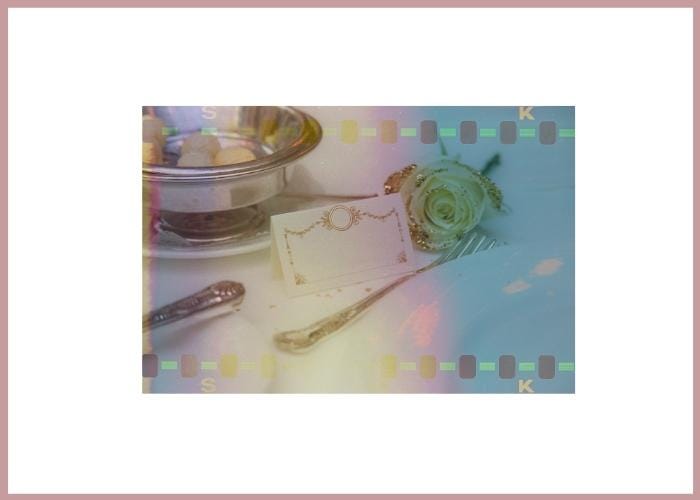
[(341, 244)]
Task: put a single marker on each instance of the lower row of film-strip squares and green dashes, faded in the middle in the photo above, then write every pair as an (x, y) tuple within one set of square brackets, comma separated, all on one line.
[(466, 366)]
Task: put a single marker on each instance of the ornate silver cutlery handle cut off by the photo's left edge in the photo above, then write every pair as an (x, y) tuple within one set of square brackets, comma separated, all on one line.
[(210, 301)]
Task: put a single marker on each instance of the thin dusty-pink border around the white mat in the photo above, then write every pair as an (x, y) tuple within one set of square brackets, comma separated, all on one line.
[(6, 4)]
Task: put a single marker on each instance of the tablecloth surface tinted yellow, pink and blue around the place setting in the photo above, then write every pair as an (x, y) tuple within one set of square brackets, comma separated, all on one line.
[(516, 300)]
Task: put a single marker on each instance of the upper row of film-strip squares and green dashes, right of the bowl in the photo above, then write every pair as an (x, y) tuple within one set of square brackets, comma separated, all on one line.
[(468, 132)]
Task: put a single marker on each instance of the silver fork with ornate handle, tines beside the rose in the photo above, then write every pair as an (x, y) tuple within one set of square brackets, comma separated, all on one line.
[(303, 339)]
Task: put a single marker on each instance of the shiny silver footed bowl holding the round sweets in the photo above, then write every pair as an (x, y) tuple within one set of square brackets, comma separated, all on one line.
[(212, 203)]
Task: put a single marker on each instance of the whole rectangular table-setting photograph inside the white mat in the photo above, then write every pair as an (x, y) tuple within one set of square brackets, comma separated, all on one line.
[(358, 249)]
